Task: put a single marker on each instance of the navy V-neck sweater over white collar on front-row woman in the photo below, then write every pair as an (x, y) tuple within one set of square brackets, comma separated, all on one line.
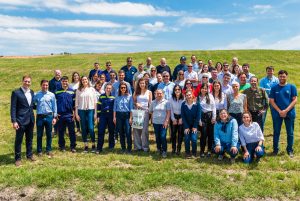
[(190, 117)]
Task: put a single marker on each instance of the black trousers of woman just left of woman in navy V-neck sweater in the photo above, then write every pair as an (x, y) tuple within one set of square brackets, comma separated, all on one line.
[(177, 130)]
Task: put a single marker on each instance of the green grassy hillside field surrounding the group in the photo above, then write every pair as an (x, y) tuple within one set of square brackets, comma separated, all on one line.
[(113, 176)]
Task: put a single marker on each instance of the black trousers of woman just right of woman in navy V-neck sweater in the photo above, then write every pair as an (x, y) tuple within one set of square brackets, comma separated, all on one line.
[(207, 132)]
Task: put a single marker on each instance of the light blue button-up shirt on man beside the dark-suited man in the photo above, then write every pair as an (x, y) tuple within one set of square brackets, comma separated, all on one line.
[(45, 103)]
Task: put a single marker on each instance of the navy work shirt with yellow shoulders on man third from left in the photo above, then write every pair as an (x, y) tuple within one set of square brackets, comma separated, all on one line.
[(65, 100)]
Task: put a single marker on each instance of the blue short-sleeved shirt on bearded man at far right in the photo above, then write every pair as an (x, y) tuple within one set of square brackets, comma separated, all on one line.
[(283, 96)]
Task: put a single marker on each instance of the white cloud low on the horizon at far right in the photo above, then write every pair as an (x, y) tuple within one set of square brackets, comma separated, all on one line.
[(292, 43)]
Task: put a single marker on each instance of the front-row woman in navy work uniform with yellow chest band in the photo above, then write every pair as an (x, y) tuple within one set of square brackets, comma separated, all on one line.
[(105, 118)]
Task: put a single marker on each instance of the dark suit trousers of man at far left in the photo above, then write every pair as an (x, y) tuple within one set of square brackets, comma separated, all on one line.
[(28, 131)]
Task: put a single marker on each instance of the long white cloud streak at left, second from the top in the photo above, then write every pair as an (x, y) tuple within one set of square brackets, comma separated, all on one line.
[(15, 22)]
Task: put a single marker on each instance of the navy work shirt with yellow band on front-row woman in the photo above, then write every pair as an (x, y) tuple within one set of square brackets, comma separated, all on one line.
[(105, 105)]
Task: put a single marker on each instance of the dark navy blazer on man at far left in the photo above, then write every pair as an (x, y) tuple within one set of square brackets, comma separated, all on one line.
[(20, 110)]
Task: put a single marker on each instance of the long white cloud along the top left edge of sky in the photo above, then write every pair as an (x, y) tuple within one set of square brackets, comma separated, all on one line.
[(96, 8)]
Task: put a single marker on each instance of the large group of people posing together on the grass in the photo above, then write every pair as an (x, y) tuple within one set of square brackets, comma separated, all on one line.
[(225, 104)]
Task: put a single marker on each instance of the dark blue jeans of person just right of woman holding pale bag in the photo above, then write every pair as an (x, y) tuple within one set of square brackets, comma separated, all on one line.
[(160, 137)]
